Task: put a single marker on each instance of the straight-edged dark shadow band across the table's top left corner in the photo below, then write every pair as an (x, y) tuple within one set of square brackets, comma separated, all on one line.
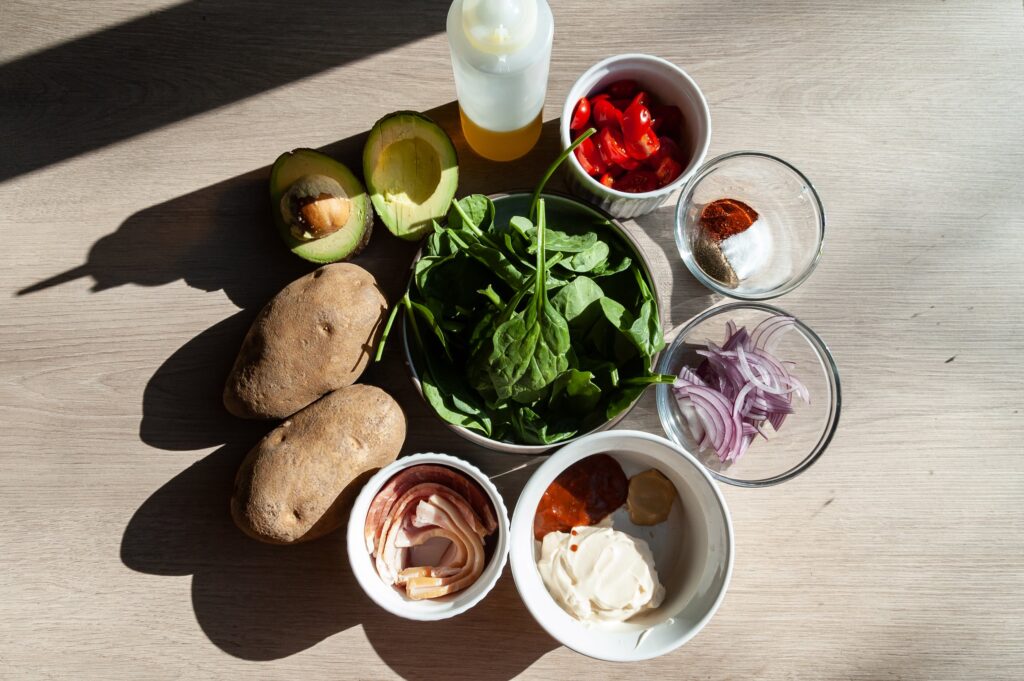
[(177, 63)]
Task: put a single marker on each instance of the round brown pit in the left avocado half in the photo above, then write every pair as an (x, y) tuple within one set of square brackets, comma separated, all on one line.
[(316, 206)]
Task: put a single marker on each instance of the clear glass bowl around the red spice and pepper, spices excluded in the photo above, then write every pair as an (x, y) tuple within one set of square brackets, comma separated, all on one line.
[(792, 230)]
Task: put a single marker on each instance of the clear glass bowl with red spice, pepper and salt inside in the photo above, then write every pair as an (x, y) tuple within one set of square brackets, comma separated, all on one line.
[(750, 226)]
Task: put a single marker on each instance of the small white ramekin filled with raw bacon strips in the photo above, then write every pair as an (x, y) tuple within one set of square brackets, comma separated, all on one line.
[(429, 537)]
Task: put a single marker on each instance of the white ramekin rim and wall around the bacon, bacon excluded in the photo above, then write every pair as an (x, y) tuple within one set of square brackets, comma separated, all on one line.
[(394, 600)]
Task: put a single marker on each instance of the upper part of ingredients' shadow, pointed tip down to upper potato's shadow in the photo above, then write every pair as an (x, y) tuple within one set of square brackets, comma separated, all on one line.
[(222, 238)]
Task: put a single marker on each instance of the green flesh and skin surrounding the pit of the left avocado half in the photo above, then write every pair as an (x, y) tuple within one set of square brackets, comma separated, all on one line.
[(347, 242)]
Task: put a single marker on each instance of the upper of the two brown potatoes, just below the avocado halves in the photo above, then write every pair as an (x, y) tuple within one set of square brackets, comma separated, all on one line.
[(315, 336)]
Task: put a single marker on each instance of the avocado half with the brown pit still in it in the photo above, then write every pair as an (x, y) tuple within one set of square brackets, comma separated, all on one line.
[(321, 210)]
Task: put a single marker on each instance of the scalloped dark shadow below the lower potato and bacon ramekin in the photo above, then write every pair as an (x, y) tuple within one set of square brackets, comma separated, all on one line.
[(258, 602)]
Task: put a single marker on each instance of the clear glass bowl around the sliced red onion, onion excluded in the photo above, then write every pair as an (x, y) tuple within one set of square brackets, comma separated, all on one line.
[(804, 436)]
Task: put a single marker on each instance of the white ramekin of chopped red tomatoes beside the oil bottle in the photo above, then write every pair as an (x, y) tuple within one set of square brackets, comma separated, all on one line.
[(654, 130)]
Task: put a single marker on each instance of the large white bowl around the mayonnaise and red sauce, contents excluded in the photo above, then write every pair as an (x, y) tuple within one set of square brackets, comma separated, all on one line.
[(694, 551)]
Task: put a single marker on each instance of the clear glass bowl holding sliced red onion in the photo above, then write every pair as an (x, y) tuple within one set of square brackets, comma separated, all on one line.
[(758, 397)]
